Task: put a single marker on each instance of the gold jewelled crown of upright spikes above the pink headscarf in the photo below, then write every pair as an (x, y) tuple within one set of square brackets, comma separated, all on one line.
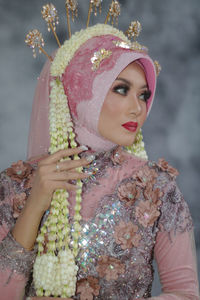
[(49, 13)]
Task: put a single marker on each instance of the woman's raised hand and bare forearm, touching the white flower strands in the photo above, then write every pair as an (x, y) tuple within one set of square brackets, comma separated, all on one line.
[(50, 175)]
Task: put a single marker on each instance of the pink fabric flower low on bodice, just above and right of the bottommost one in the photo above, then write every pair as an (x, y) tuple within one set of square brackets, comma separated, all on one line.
[(110, 267)]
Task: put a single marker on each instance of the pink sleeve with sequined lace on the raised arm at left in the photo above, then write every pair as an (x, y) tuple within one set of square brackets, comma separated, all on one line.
[(15, 261)]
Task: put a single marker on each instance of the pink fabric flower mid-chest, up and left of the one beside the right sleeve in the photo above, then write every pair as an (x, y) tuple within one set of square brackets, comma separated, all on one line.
[(128, 192)]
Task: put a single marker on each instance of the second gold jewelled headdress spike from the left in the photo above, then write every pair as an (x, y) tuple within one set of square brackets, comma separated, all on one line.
[(50, 15)]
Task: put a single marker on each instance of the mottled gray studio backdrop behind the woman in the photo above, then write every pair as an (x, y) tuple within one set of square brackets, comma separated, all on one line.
[(171, 32)]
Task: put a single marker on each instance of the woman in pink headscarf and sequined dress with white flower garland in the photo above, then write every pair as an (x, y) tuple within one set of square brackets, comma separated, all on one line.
[(131, 208)]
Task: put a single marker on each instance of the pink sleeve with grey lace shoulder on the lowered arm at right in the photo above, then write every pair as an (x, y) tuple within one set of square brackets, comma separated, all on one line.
[(174, 250)]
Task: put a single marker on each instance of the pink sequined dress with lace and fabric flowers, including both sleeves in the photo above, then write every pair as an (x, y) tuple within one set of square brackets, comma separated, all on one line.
[(132, 212)]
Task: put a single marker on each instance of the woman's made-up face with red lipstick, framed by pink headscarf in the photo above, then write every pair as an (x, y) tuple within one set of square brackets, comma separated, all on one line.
[(124, 109)]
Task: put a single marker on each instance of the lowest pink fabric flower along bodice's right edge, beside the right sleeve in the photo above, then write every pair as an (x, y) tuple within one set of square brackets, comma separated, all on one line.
[(147, 213)]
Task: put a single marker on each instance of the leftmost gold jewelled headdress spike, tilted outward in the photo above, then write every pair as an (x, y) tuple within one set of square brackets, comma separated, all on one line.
[(35, 40)]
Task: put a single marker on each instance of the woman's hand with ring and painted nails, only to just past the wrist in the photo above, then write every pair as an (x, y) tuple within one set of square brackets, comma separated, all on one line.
[(52, 174)]
